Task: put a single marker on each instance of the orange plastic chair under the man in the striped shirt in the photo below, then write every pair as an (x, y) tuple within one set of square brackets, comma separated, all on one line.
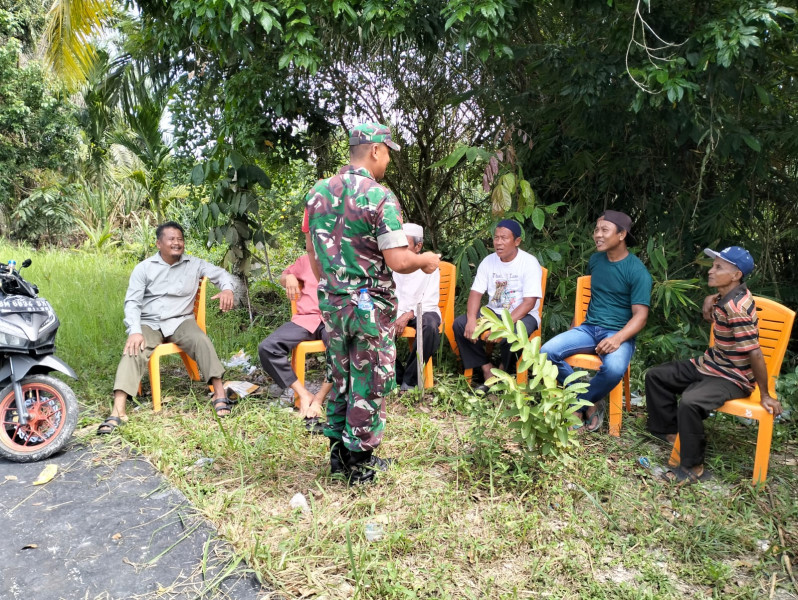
[(775, 325)]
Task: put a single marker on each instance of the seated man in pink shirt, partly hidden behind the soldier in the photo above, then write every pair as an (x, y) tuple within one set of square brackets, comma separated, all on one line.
[(300, 284)]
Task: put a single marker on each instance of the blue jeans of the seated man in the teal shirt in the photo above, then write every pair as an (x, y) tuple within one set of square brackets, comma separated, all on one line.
[(583, 340)]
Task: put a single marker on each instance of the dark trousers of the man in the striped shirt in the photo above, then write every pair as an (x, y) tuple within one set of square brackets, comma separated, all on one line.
[(701, 394)]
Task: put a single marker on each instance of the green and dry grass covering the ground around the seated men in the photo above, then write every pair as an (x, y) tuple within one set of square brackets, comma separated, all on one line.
[(602, 528)]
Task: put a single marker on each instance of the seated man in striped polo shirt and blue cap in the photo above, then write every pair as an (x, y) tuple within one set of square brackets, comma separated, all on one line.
[(726, 371)]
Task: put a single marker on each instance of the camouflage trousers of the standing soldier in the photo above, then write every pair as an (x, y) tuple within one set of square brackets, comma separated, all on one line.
[(360, 363)]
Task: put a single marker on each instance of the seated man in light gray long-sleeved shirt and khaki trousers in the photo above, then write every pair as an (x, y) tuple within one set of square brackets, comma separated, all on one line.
[(159, 307)]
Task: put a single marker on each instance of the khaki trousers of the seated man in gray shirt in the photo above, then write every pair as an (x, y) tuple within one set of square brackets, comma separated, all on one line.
[(191, 339)]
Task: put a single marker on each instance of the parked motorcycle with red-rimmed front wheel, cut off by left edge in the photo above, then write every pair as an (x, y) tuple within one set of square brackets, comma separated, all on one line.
[(38, 412)]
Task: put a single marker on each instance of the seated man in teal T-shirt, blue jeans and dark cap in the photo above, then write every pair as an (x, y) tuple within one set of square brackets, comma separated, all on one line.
[(620, 296)]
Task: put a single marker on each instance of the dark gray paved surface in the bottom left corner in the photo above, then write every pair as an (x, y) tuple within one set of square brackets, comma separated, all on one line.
[(109, 526)]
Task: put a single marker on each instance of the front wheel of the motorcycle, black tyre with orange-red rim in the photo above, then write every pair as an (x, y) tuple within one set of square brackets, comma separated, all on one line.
[(52, 416)]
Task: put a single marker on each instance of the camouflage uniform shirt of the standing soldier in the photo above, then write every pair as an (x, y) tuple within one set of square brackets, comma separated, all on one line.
[(352, 219)]
